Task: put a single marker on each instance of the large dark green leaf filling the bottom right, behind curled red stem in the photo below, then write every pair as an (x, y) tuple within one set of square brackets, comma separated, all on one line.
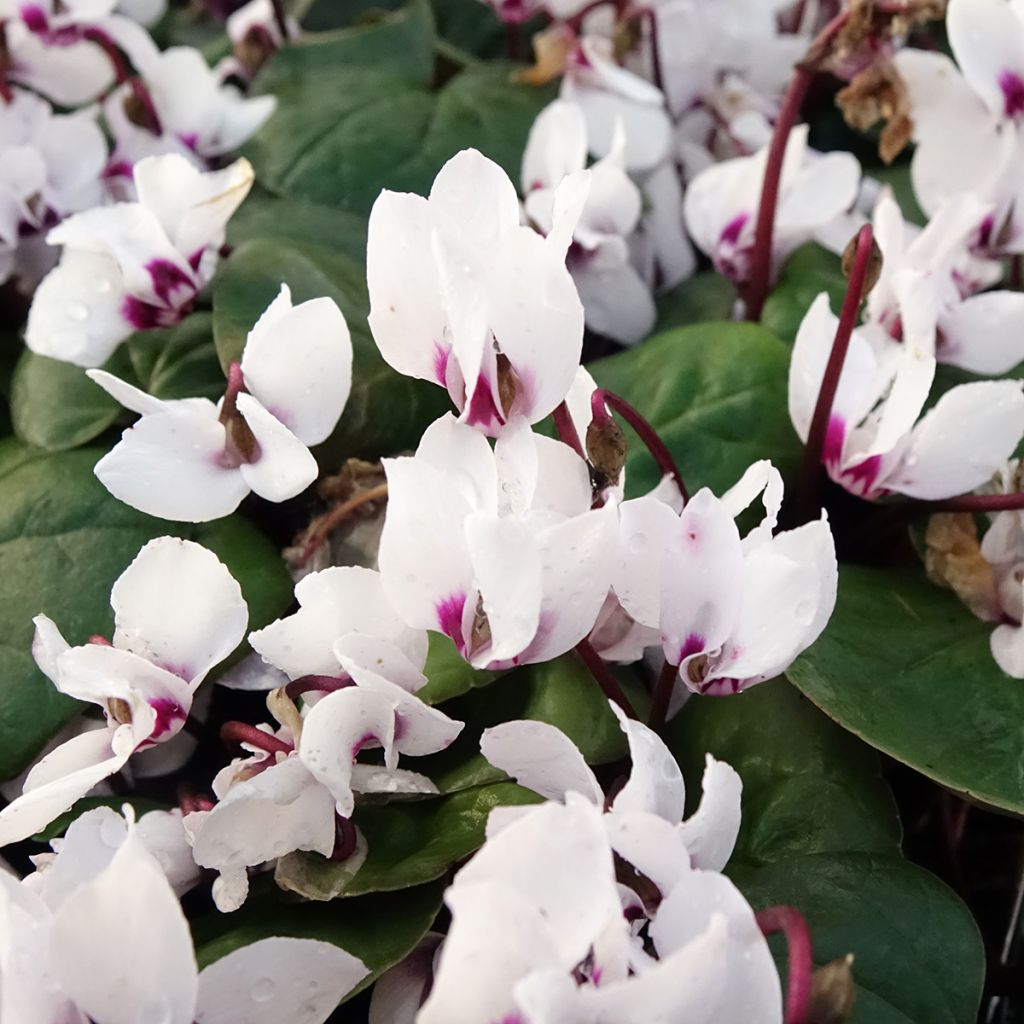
[(821, 833)]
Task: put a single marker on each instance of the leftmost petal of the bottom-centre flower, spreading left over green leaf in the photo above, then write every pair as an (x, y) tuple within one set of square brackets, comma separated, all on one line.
[(541, 758)]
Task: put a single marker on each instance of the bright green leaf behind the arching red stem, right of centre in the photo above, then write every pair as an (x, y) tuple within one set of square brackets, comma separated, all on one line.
[(717, 396)]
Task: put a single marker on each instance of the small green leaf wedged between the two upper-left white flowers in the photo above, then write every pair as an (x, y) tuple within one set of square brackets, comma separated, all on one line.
[(179, 362)]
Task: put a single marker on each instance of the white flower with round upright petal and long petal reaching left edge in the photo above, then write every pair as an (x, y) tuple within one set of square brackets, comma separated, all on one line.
[(178, 613)]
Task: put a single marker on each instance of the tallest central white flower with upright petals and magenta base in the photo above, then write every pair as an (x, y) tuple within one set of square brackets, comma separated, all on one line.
[(463, 295)]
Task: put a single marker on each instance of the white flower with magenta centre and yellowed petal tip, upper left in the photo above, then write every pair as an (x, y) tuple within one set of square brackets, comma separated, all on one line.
[(134, 267)]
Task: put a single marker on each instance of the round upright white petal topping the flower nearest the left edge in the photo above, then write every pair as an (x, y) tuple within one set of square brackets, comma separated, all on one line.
[(179, 607)]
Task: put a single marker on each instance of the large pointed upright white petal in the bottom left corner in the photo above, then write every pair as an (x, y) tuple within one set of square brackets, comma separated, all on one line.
[(127, 960)]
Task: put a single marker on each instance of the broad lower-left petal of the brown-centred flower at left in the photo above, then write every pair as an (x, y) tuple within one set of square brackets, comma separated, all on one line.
[(170, 466)]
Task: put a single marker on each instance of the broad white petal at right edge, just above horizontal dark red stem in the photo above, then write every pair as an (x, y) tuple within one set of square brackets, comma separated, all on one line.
[(972, 431)]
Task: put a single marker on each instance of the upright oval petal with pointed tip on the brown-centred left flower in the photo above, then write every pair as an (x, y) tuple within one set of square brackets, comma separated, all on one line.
[(298, 365)]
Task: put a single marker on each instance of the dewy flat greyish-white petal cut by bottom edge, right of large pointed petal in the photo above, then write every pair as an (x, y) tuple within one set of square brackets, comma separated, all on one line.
[(278, 979)]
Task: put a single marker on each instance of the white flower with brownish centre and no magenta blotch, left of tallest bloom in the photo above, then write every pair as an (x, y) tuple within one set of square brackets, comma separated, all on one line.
[(194, 461)]
